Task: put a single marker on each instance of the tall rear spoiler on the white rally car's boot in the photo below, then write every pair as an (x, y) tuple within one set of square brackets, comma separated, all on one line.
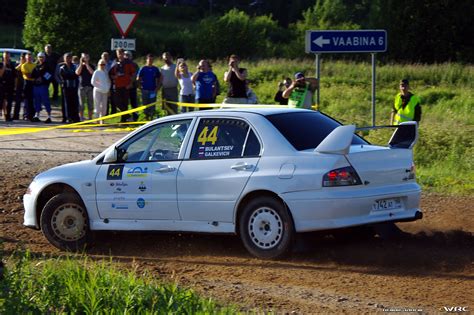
[(340, 139)]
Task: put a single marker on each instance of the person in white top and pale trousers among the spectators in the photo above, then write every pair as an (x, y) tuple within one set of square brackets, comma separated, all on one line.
[(101, 82)]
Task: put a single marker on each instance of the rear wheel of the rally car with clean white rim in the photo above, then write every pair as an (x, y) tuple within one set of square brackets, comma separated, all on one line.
[(266, 228)]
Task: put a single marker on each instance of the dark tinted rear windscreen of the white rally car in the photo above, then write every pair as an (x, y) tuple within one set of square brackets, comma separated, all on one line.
[(306, 130)]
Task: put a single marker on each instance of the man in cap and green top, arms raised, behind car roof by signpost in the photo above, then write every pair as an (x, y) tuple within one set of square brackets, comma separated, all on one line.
[(300, 92)]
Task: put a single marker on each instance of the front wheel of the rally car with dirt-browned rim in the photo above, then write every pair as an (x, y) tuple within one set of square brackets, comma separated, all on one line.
[(65, 223)]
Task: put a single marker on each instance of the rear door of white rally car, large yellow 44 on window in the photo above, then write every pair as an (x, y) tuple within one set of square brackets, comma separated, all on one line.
[(224, 153)]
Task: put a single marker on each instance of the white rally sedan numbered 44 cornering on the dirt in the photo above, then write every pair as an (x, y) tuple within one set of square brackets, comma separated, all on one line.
[(265, 174)]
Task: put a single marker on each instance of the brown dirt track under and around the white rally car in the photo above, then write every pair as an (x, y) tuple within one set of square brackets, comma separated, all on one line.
[(429, 267)]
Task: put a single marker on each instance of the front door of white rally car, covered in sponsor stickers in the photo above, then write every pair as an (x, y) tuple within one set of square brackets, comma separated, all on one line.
[(142, 184)]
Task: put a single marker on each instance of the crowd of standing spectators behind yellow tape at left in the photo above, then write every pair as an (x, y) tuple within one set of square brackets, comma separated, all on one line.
[(86, 90)]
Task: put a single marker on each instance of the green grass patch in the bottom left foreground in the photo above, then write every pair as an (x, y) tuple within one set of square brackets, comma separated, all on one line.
[(72, 285)]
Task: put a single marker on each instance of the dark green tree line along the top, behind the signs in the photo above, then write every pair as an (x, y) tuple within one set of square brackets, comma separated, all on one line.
[(425, 31)]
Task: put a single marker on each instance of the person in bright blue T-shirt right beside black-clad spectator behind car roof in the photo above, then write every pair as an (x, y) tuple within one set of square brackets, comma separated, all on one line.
[(206, 83)]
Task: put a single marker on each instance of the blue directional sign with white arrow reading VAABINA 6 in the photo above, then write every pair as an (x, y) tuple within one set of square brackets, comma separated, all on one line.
[(346, 41)]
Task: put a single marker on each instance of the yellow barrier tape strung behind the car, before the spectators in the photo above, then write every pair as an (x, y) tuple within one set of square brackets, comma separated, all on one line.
[(88, 123)]
